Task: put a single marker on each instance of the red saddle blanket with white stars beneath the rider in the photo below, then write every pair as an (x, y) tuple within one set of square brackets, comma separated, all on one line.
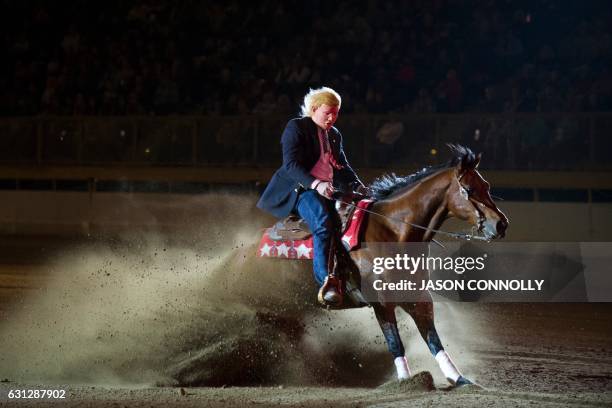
[(302, 249)]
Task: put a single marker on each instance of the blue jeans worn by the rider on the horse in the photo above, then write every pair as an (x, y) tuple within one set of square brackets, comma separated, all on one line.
[(314, 210)]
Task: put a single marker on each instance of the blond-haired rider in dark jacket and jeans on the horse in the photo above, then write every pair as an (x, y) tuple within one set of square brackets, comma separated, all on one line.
[(314, 167)]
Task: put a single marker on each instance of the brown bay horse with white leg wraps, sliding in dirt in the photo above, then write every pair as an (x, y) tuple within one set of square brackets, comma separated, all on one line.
[(426, 198)]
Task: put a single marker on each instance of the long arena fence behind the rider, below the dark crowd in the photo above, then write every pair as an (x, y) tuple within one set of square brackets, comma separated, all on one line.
[(508, 142)]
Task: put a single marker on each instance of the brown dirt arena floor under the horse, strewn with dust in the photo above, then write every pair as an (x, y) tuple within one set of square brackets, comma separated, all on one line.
[(71, 320)]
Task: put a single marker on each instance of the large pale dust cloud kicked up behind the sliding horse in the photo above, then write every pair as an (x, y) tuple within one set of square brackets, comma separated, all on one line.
[(196, 308)]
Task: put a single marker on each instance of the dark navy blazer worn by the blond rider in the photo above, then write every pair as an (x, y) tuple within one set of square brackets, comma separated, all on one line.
[(301, 151)]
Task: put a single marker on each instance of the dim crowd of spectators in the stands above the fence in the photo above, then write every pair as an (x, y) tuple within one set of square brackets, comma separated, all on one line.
[(156, 57)]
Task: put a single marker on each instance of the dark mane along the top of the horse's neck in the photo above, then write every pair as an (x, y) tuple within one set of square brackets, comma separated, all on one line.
[(387, 184)]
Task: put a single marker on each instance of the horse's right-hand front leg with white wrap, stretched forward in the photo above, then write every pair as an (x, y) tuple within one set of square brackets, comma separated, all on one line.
[(422, 313)]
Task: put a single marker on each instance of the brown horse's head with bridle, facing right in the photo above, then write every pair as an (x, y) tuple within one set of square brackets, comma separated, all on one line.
[(469, 197)]
